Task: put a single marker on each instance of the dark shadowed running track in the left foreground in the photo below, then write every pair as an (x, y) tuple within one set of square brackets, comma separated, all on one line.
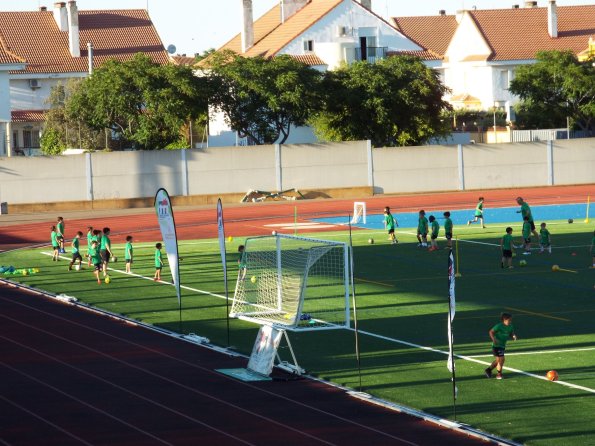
[(70, 376)]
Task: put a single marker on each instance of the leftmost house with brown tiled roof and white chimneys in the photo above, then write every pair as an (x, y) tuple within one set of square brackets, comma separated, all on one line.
[(41, 49)]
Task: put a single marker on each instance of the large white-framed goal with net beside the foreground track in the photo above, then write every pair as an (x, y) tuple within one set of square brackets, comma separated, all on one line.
[(294, 283)]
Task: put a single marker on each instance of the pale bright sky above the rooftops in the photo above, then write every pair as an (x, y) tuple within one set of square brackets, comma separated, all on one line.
[(194, 26)]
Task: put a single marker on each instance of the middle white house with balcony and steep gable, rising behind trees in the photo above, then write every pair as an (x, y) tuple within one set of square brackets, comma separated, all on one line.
[(322, 33)]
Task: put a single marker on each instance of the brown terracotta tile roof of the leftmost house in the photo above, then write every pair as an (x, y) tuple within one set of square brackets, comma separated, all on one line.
[(35, 37)]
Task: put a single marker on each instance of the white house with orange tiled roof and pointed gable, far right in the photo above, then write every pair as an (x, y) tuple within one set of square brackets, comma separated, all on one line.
[(478, 51)]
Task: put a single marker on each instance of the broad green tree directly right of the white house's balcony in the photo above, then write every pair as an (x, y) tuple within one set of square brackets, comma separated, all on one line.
[(394, 102)]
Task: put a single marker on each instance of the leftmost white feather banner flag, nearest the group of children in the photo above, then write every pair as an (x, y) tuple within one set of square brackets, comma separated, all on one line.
[(167, 224)]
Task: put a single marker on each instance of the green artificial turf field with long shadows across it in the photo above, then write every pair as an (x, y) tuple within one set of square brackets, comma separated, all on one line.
[(402, 306)]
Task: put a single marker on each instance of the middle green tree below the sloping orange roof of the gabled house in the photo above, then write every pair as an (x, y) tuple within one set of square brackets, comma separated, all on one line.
[(262, 98)]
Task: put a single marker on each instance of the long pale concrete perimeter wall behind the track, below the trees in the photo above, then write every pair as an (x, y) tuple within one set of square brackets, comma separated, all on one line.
[(199, 176)]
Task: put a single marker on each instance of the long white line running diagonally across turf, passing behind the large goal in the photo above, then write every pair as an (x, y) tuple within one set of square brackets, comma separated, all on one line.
[(386, 338)]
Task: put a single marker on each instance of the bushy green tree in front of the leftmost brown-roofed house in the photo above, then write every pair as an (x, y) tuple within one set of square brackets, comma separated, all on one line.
[(144, 102)]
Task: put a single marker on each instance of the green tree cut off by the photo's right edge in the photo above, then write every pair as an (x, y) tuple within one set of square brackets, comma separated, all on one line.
[(557, 86)]
